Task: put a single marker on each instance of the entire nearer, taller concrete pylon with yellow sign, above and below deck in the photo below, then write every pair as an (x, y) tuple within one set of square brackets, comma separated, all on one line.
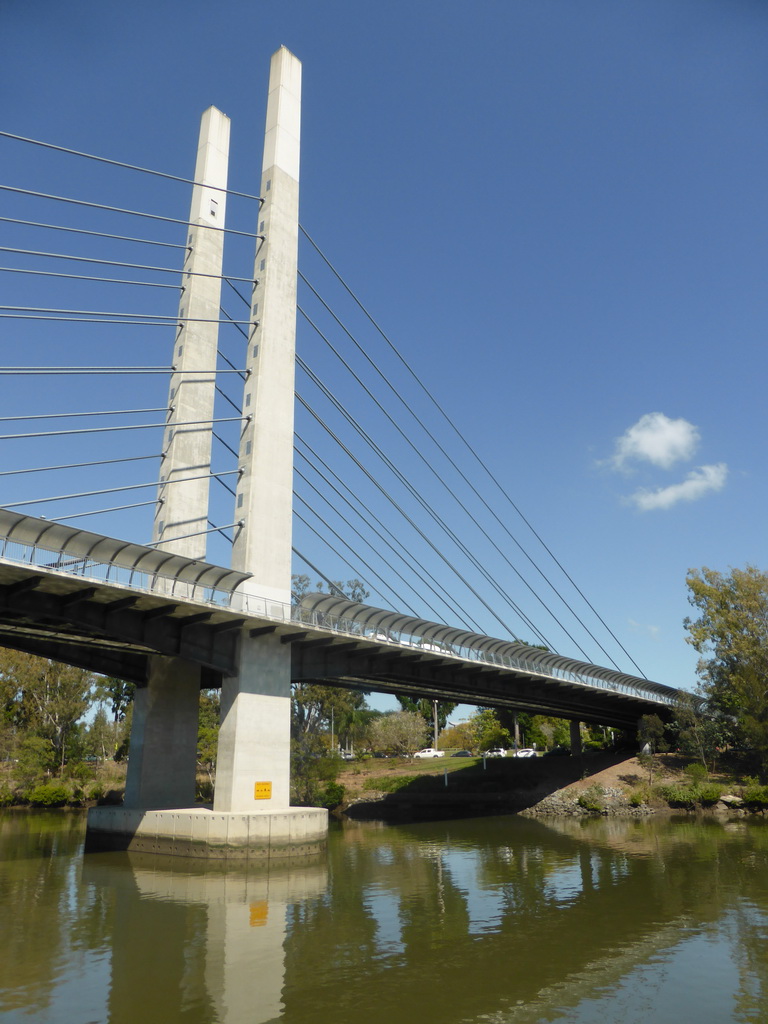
[(253, 764)]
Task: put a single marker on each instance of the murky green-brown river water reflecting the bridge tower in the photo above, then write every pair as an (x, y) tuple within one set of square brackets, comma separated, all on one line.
[(496, 920)]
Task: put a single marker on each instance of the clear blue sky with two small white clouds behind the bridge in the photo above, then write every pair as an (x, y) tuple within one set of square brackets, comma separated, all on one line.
[(557, 211)]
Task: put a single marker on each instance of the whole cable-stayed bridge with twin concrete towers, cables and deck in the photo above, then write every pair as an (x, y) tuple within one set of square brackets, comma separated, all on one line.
[(203, 598)]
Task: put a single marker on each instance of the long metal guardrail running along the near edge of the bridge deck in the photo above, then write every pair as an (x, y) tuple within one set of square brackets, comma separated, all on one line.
[(236, 601)]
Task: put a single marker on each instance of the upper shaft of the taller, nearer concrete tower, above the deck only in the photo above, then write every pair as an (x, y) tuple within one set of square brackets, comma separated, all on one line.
[(265, 501)]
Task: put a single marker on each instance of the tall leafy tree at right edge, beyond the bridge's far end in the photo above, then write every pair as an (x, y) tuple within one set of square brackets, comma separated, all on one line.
[(732, 636)]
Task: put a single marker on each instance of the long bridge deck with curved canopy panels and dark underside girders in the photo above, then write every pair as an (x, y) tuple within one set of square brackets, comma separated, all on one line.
[(108, 607)]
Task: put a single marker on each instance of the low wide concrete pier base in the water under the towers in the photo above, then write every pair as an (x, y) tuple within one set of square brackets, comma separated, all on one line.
[(198, 832)]
